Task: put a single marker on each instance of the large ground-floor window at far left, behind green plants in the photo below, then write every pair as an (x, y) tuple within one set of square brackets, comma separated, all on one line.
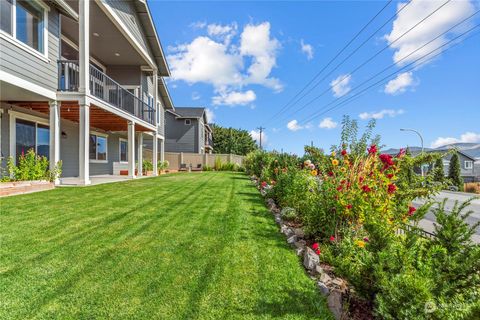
[(31, 135)]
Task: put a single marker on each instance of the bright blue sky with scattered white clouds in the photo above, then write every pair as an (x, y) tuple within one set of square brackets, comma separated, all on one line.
[(245, 60)]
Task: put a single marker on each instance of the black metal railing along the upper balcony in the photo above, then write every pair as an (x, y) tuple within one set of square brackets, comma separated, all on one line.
[(104, 88)]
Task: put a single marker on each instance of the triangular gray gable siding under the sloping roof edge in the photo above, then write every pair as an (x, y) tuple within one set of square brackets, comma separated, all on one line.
[(126, 12)]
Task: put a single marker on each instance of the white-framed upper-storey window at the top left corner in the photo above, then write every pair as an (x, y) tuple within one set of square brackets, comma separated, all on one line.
[(24, 21)]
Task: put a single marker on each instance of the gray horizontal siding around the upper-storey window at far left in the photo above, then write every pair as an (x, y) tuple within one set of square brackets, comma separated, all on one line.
[(23, 64)]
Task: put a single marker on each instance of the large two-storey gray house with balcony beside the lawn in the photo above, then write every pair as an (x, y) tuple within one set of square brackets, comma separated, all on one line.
[(81, 82)]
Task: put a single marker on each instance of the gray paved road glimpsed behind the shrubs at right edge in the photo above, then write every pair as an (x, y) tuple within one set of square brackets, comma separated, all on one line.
[(427, 223)]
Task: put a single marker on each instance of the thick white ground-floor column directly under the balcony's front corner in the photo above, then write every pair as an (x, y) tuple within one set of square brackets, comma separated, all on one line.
[(84, 141)]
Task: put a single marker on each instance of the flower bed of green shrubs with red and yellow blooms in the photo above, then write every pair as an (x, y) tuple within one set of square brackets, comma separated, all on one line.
[(350, 205)]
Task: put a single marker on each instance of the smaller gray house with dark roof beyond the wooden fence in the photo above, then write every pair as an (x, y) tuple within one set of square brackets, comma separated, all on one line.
[(187, 130)]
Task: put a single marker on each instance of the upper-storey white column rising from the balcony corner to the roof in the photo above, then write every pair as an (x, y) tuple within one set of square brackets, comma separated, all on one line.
[(84, 45)]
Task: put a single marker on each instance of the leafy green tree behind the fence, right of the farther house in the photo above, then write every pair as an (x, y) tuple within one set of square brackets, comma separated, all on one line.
[(231, 140)]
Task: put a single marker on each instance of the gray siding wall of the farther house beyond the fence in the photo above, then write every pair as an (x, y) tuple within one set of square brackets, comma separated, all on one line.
[(180, 137)]
